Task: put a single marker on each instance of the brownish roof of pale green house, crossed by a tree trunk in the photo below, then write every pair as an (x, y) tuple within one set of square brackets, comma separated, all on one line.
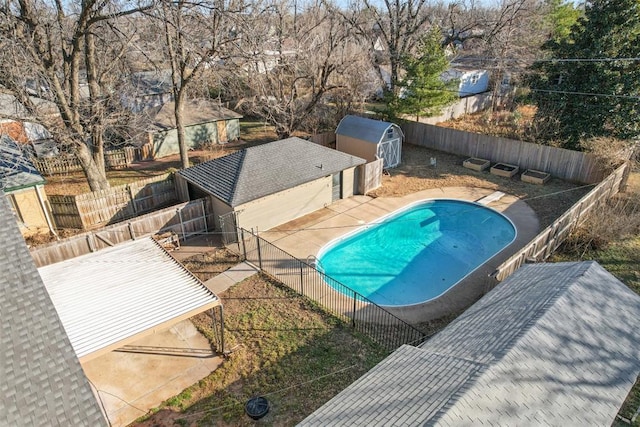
[(195, 112)]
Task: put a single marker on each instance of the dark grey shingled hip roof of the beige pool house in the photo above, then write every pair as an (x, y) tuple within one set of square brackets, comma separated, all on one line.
[(258, 171)]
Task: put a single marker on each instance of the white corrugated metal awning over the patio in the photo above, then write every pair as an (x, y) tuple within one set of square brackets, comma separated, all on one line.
[(112, 297)]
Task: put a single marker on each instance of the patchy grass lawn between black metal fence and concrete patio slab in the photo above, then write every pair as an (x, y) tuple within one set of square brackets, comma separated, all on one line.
[(284, 348)]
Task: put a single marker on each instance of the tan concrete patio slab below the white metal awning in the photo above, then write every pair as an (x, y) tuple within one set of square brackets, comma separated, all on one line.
[(132, 380)]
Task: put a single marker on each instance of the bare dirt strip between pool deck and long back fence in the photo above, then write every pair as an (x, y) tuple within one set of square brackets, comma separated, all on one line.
[(415, 173)]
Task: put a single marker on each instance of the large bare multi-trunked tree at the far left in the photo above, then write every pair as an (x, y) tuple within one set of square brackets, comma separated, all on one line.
[(67, 54)]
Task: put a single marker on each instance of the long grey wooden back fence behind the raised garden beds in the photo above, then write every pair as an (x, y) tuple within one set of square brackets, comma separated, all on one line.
[(565, 164)]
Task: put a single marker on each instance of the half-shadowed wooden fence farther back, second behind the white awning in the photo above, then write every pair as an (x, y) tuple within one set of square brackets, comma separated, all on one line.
[(115, 204)]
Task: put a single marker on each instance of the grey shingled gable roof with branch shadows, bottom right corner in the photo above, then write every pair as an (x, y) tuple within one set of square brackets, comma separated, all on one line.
[(554, 344)]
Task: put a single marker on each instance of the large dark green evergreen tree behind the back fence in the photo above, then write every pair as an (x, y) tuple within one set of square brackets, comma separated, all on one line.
[(593, 89)]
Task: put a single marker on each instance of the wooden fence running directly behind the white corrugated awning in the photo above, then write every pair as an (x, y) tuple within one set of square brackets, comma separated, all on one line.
[(185, 219)]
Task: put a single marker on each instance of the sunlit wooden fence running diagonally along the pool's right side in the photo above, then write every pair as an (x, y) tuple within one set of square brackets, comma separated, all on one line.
[(545, 243)]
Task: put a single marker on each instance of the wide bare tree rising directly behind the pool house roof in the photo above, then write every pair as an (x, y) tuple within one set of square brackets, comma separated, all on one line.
[(292, 64)]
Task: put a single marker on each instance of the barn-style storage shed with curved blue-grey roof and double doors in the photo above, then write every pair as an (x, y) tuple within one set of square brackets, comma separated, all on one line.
[(370, 139)]
